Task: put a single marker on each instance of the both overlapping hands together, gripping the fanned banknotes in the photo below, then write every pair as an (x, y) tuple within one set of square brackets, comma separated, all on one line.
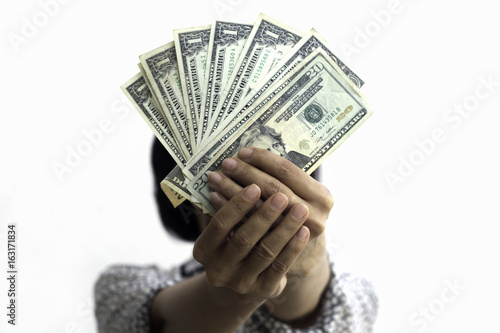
[(261, 233)]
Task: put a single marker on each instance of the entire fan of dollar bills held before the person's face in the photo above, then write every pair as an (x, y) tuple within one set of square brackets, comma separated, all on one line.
[(217, 88)]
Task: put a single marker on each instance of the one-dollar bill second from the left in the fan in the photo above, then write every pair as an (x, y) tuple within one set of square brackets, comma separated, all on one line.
[(160, 66)]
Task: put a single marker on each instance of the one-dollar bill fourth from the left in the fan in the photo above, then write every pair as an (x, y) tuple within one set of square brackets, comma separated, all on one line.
[(227, 40)]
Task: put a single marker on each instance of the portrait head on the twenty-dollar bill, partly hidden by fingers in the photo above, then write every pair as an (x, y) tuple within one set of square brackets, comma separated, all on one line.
[(265, 137)]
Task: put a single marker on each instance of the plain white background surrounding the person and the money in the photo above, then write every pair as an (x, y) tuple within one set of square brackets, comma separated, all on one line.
[(432, 227)]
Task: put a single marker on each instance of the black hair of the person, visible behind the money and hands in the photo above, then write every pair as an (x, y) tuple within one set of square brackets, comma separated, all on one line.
[(180, 222)]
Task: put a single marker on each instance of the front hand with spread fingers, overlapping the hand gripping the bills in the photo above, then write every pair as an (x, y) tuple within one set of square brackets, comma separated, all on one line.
[(249, 259)]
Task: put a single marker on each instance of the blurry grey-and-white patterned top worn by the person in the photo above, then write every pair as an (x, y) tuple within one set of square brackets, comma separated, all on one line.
[(123, 294)]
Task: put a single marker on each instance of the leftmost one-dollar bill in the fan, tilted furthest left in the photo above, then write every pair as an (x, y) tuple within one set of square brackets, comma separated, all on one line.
[(140, 96)]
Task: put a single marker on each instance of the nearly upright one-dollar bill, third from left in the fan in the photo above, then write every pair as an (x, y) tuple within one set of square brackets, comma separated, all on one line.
[(191, 46)]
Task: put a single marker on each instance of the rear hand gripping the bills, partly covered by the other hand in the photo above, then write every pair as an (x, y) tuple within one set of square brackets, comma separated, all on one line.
[(274, 174)]
